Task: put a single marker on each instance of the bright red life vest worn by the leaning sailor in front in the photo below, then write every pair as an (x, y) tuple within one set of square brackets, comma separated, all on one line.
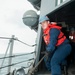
[(46, 34)]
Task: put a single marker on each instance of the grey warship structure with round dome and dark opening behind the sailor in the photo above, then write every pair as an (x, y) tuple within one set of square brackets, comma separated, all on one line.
[(60, 11)]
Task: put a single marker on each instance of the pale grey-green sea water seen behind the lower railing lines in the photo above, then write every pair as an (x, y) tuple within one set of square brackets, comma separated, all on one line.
[(17, 59)]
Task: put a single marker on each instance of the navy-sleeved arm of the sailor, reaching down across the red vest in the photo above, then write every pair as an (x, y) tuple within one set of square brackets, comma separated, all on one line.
[(53, 39)]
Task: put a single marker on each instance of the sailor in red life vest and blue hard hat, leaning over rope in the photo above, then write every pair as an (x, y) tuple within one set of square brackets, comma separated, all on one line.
[(57, 45)]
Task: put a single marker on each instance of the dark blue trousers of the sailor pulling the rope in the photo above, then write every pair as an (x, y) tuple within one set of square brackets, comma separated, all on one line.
[(58, 57)]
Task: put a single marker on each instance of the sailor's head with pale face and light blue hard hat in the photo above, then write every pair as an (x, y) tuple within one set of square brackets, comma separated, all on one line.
[(44, 21)]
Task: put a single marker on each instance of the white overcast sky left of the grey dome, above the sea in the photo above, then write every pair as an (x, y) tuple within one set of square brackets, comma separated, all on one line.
[(11, 13)]
